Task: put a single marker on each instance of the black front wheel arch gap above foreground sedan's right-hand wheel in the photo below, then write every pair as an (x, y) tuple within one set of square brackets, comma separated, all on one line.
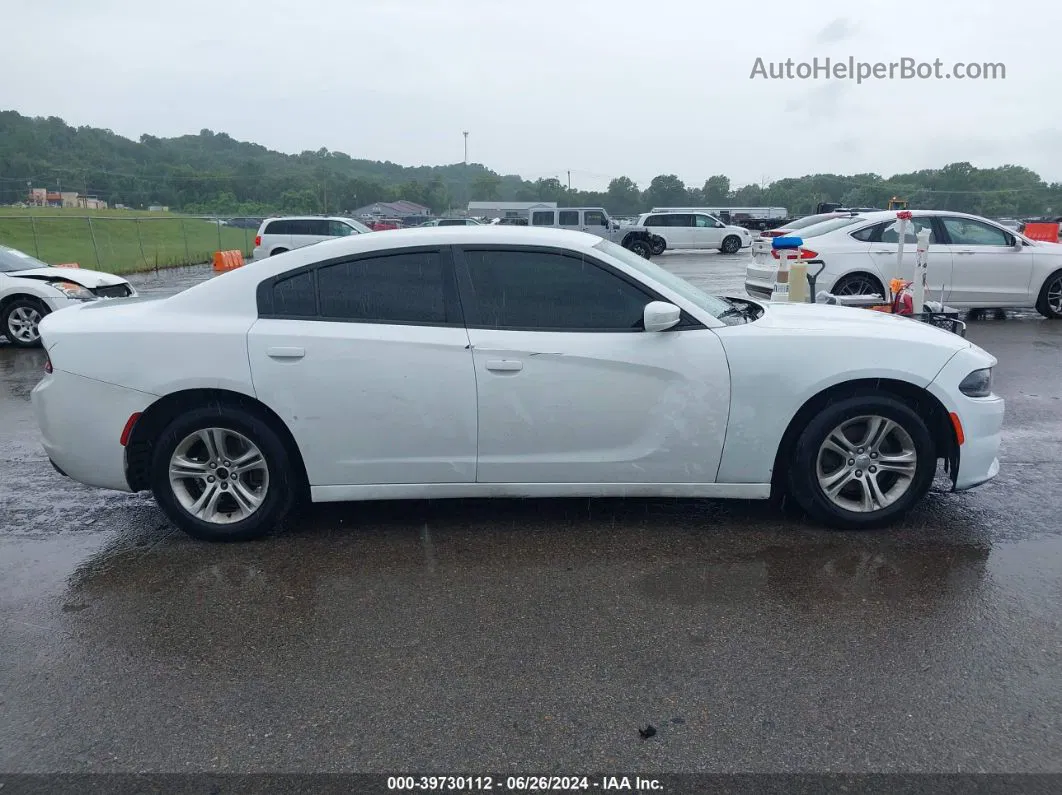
[(920, 400)]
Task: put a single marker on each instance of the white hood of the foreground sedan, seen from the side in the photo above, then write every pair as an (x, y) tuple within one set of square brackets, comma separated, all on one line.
[(859, 323)]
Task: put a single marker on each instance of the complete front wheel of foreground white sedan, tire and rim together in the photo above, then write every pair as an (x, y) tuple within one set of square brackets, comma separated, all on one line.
[(838, 493)]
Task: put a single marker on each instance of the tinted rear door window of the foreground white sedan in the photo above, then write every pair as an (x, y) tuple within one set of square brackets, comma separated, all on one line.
[(400, 288)]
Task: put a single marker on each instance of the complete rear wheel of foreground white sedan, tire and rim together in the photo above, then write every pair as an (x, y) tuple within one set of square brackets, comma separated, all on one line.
[(267, 485)]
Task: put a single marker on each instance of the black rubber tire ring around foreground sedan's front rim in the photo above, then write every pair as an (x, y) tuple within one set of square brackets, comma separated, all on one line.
[(804, 485)]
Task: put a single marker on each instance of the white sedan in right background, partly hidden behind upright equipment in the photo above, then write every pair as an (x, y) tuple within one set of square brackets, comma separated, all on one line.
[(974, 264)]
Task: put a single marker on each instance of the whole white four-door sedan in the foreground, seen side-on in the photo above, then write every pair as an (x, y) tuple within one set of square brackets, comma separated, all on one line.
[(503, 362)]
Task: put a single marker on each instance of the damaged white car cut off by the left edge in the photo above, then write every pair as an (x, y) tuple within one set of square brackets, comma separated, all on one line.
[(31, 289)]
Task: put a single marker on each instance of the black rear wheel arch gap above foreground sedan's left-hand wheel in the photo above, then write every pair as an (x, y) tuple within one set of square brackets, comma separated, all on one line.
[(161, 413)]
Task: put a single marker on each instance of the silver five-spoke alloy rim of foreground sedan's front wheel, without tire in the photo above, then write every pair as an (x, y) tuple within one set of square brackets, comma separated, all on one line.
[(866, 464)]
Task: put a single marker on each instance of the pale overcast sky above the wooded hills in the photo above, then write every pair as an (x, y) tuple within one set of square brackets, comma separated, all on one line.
[(602, 89)]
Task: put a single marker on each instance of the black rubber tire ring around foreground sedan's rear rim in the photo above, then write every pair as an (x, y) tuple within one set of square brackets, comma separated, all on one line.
[(282, 487)]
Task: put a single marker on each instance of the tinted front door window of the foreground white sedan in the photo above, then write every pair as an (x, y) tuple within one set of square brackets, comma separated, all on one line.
[(541, 290)]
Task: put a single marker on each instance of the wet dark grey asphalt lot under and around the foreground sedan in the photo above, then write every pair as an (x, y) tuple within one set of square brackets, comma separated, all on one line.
[(538, 636)]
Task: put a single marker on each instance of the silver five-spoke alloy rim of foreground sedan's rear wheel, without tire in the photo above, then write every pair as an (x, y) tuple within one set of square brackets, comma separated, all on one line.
[(219, 476)]
